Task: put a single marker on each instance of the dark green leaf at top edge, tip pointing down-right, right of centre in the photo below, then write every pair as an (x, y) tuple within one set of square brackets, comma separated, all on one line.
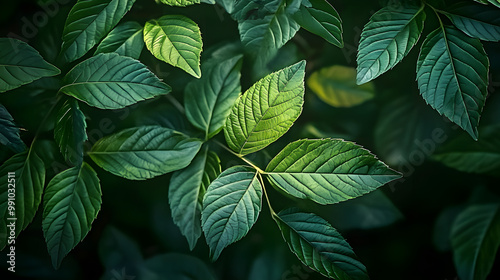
[(322, 19)]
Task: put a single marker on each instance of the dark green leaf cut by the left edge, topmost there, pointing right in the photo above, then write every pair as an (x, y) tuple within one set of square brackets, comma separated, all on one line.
[(21, 64)]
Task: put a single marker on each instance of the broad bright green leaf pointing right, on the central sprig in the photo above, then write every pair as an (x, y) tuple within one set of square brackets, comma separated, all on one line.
[(327, 170)]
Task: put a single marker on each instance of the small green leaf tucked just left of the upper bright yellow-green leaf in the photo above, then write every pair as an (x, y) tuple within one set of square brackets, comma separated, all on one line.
[(126, 39)]
